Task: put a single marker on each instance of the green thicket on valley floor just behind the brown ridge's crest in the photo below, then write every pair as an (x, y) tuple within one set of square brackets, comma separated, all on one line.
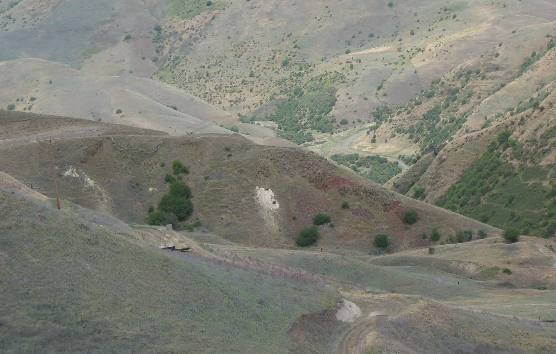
[(375, 168)]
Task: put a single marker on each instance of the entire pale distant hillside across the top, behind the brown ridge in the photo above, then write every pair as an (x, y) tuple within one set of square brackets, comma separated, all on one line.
[(304, 70)]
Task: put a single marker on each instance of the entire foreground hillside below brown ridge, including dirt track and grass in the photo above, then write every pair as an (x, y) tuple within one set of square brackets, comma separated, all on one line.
[(120, 292)]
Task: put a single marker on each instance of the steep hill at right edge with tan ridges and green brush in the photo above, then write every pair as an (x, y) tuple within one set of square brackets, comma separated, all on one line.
[(486, 144)]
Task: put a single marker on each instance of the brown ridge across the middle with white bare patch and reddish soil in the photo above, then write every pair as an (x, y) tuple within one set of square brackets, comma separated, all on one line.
[(256, 195)]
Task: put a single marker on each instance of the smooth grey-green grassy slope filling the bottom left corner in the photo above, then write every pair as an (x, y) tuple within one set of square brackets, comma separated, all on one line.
[(73, 285)]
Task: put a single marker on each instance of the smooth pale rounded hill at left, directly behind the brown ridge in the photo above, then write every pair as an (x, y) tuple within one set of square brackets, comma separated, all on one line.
[(50, 88)]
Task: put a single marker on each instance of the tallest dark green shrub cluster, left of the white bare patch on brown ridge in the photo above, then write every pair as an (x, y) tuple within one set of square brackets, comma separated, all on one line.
[(176, 205)]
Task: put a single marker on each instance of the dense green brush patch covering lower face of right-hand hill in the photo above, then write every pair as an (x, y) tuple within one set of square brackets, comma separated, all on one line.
[(503, 194)]
